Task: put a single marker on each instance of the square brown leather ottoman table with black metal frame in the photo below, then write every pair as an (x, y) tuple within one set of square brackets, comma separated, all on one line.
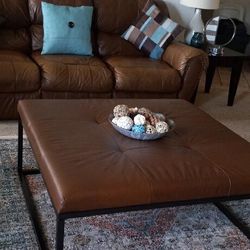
[(90, 169)]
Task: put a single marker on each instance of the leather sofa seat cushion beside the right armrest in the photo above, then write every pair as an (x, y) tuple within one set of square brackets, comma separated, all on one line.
[(140, 74)]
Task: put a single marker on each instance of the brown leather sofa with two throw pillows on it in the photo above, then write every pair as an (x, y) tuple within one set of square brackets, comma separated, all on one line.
[(118, 69)]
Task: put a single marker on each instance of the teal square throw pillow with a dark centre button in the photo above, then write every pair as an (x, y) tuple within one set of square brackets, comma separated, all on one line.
[(67, 30)]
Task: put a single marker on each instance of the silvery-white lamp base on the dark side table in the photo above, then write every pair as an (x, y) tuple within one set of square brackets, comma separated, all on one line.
[(195, 26)]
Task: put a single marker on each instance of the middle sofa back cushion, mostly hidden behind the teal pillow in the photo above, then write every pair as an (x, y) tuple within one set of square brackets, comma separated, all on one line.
[(35, 12)]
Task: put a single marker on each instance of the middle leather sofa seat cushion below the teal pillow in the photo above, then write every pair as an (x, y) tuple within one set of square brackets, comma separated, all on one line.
[(73, 73)]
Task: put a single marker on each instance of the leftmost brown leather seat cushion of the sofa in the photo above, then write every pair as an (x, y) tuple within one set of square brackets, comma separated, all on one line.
[(18, 73)]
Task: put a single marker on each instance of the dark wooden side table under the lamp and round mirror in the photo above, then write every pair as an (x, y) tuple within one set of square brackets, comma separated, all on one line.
[(232, 59)]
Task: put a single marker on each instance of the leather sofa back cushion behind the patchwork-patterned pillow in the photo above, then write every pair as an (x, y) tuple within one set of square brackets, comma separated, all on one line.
[(112, 18)]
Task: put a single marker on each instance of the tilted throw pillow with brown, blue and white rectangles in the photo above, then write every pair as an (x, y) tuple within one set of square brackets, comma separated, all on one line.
[(152, 32)]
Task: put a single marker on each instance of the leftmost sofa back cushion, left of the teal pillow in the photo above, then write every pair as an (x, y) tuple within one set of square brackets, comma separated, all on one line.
[(14, 31)]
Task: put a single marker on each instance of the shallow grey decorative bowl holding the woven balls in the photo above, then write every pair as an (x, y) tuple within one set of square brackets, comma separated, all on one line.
[(143, 136)]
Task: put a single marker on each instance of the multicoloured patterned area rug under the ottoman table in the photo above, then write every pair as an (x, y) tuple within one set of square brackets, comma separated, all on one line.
[(186, 227)]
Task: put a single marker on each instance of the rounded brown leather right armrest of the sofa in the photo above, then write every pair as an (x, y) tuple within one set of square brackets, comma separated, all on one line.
[(191, 64)]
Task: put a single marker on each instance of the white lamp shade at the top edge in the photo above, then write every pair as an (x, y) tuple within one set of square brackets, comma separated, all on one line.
[(201, 4)]
